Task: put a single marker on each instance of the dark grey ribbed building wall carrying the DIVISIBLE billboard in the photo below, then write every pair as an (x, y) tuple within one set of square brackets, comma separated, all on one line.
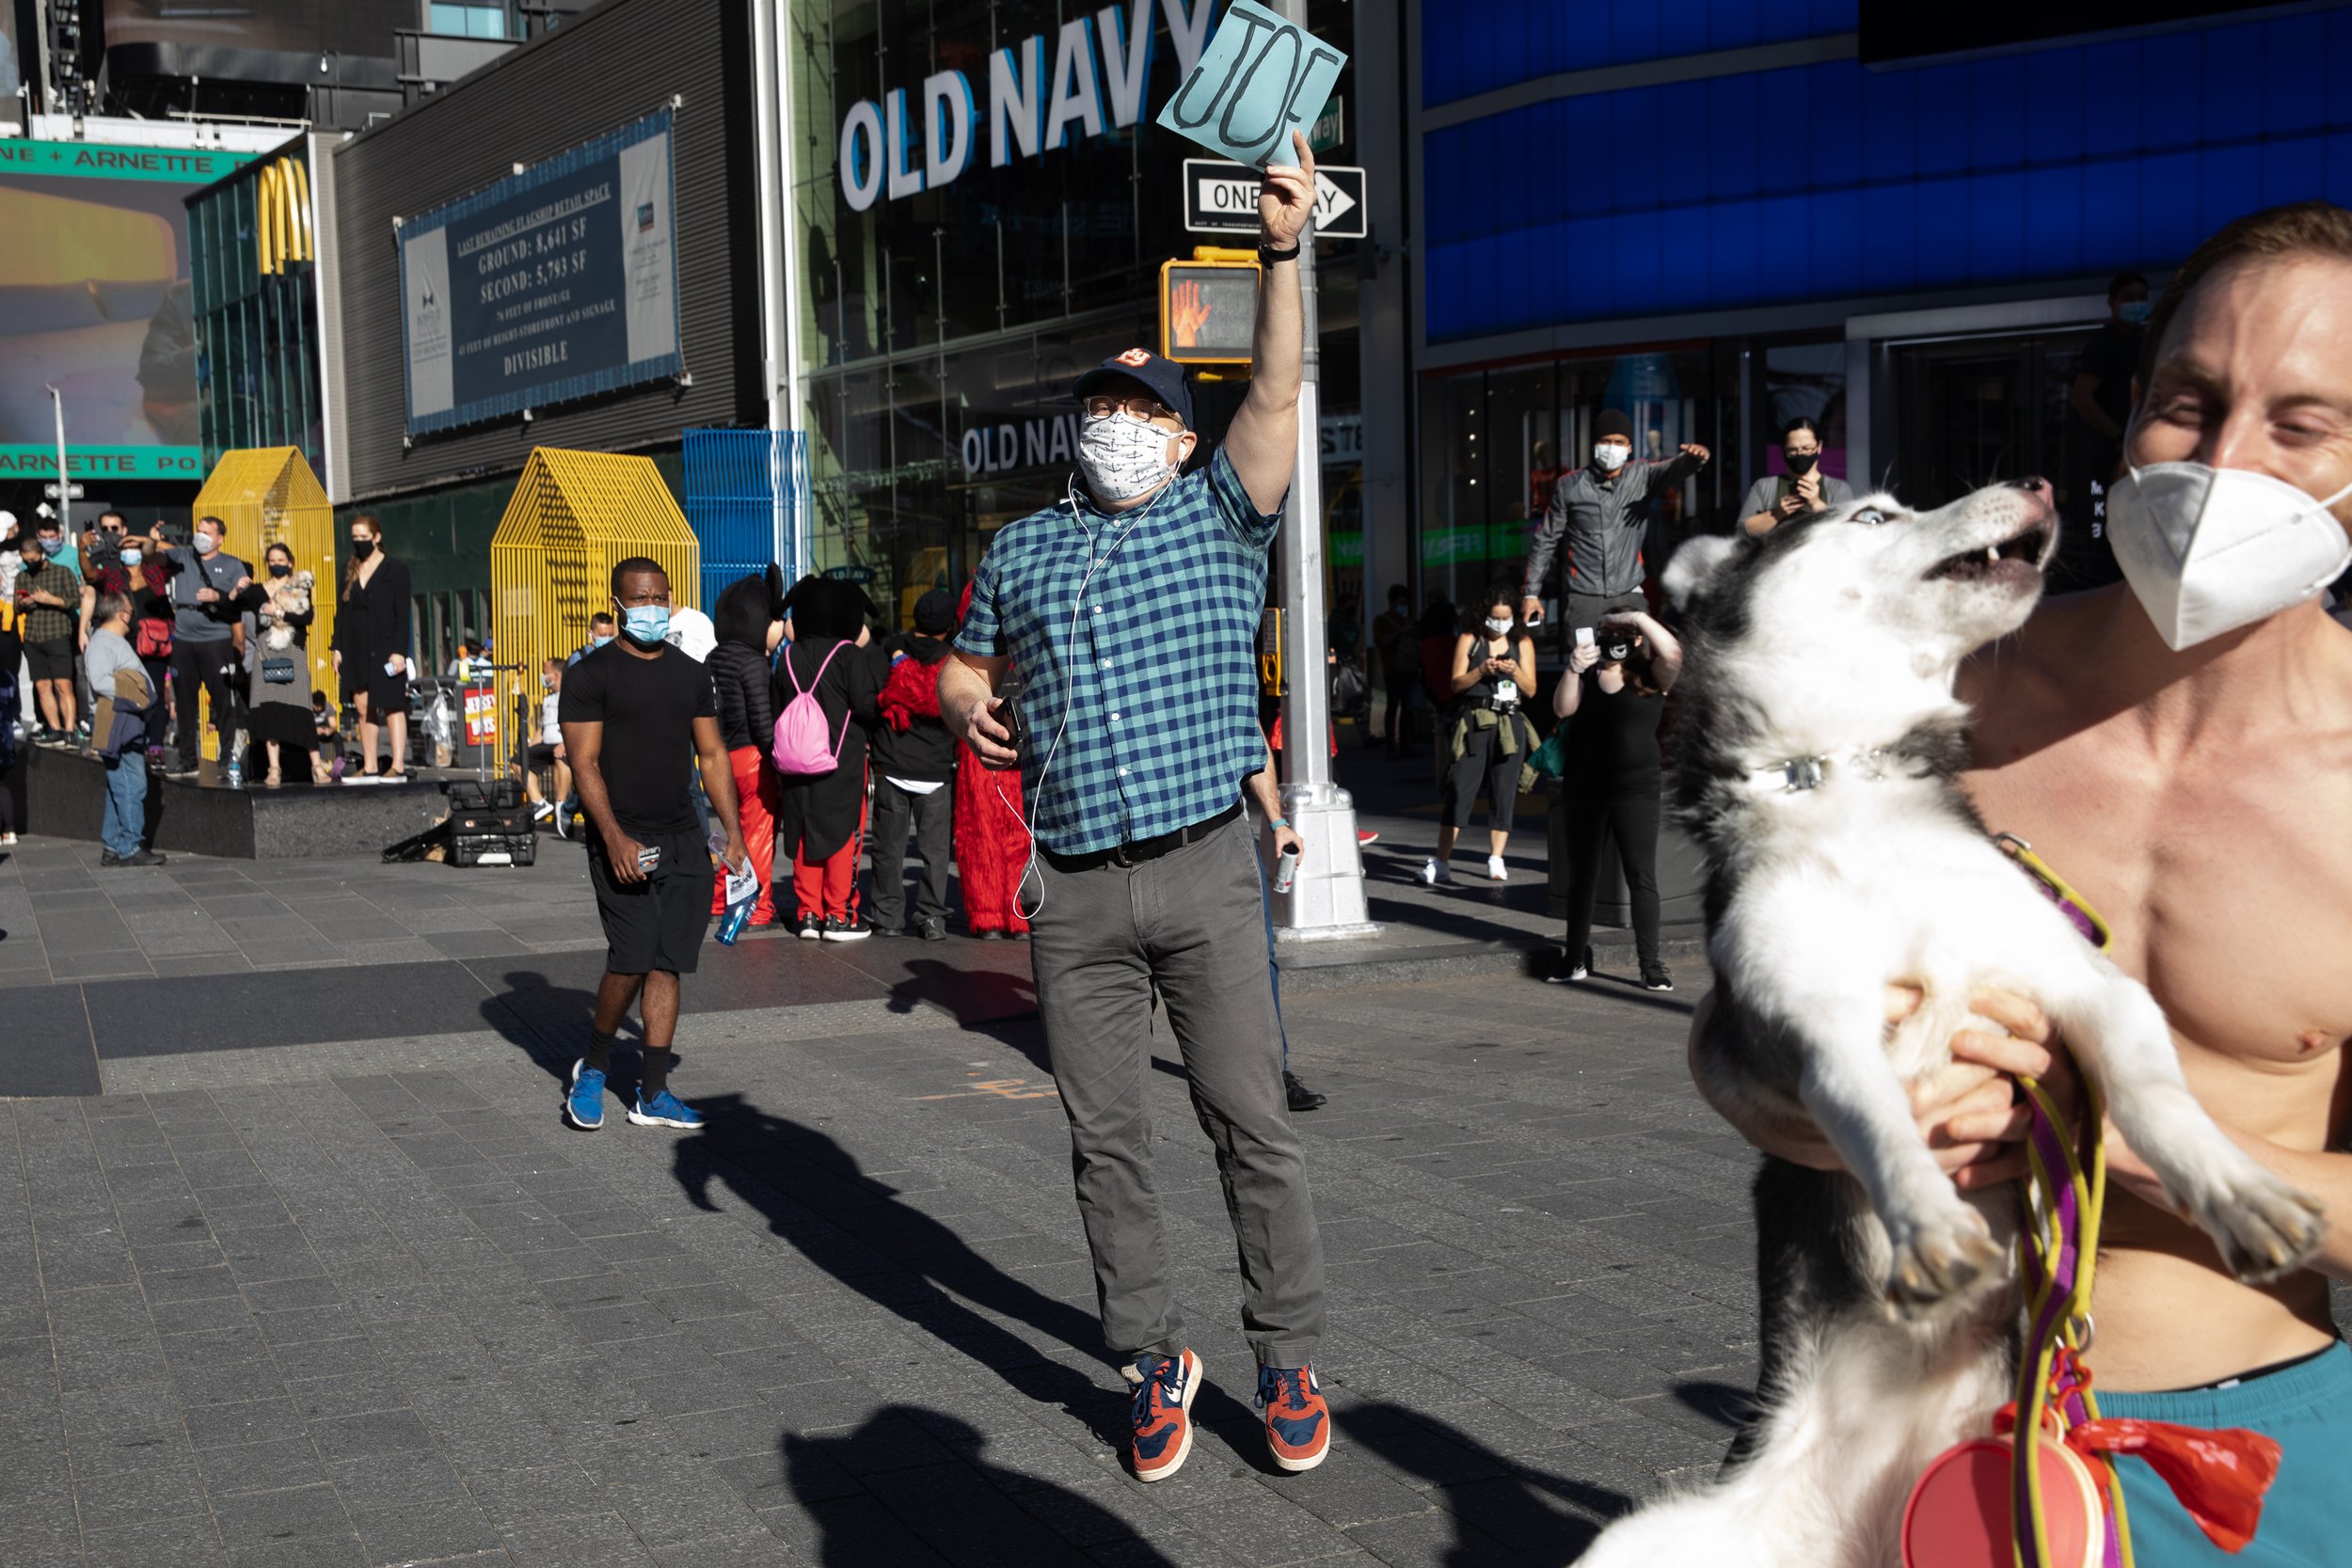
[(549, 109)]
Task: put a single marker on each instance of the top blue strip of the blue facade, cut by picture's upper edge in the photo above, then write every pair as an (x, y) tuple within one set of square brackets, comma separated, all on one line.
[(1497, 43)]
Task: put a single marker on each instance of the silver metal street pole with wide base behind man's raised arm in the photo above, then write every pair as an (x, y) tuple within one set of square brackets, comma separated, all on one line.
[(1328, 894)]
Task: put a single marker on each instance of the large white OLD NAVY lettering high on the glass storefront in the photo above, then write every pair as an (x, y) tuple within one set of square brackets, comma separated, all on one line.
[(1102, 72)]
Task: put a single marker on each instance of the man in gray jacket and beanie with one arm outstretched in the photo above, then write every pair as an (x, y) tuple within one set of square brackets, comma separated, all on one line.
[(1603, 514)]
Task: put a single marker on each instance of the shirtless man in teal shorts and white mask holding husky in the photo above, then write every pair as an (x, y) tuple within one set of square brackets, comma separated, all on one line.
[(2179, 749)]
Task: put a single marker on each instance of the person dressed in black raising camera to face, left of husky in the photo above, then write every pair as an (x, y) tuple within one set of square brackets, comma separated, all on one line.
[(1615, 779)]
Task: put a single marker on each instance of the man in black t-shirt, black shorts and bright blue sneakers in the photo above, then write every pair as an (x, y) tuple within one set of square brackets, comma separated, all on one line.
[(646, 859)]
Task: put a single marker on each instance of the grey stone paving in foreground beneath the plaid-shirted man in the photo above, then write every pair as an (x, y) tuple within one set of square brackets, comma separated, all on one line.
[(370, 1304)]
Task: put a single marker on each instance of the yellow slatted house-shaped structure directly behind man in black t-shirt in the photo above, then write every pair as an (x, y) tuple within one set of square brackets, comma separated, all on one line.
[(573, 521)]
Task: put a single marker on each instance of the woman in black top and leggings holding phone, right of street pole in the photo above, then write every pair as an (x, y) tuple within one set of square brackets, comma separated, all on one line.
[(1488, 737)]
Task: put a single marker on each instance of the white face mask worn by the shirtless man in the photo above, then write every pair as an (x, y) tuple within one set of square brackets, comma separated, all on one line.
[(2214, 549)]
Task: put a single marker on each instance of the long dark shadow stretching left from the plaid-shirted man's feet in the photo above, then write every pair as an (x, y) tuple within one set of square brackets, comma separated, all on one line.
[(867, 1235)]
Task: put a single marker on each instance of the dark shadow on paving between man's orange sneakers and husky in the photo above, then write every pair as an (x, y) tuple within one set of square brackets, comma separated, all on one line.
[(1504, 1510)]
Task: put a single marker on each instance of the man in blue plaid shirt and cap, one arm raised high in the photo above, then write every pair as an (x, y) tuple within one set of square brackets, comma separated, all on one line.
[(1130, 612)]
